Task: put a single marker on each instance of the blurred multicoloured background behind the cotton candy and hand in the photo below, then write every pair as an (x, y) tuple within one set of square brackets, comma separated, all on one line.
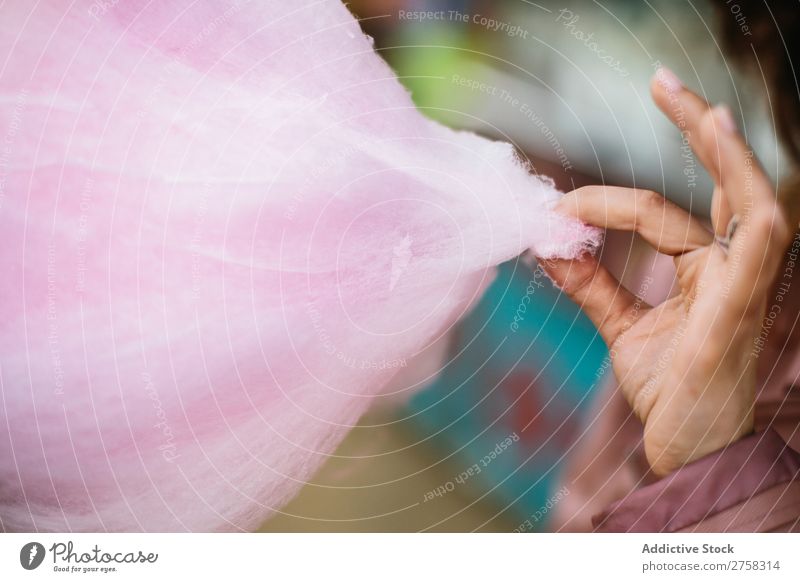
[(482, 449)]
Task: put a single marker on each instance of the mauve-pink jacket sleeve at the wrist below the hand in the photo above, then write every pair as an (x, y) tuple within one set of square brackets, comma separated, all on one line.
[(751, 485)]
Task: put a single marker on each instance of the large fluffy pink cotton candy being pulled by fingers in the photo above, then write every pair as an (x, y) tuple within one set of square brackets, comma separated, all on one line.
[(225, 231)]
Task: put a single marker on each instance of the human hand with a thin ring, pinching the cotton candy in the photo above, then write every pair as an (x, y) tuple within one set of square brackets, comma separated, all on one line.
[(687, 366)]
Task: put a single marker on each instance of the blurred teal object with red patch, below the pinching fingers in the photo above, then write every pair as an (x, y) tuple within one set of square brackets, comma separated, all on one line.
[(533, 382)]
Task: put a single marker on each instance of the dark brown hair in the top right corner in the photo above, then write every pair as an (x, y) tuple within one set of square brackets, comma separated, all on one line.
[(764, 38)]
